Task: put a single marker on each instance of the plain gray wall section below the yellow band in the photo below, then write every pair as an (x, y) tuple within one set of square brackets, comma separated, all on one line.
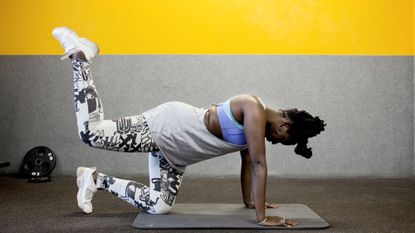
[(367, 102)]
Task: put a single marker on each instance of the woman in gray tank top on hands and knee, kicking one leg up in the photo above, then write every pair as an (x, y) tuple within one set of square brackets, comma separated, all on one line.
[(177, 135)]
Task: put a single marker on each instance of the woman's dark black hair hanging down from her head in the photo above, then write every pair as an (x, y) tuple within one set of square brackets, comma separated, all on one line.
[(304, 126)]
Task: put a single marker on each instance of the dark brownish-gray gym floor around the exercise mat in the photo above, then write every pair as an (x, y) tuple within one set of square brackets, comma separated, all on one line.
[(349, 205)]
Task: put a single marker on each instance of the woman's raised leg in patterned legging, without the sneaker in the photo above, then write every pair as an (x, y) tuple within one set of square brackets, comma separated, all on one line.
[(127, 134)]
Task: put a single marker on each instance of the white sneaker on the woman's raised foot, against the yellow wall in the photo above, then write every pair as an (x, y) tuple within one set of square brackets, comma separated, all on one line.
[(72, 43)]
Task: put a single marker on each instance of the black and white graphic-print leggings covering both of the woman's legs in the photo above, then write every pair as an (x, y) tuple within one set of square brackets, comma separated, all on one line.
[(127, 134)]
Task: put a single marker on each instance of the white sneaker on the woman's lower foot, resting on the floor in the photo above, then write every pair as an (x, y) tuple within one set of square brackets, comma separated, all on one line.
[(86, 188)]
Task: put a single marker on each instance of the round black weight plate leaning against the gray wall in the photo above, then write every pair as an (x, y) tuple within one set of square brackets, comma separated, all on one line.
[(38, 162)]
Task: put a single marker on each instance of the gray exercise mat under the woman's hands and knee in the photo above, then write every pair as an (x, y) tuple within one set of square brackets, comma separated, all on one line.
[(226, 216)]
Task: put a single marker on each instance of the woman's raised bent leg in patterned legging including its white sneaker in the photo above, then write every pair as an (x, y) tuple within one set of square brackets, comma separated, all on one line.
[(127, 134)]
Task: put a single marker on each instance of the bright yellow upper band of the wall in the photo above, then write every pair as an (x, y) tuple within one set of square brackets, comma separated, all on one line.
[(352, 27)]
